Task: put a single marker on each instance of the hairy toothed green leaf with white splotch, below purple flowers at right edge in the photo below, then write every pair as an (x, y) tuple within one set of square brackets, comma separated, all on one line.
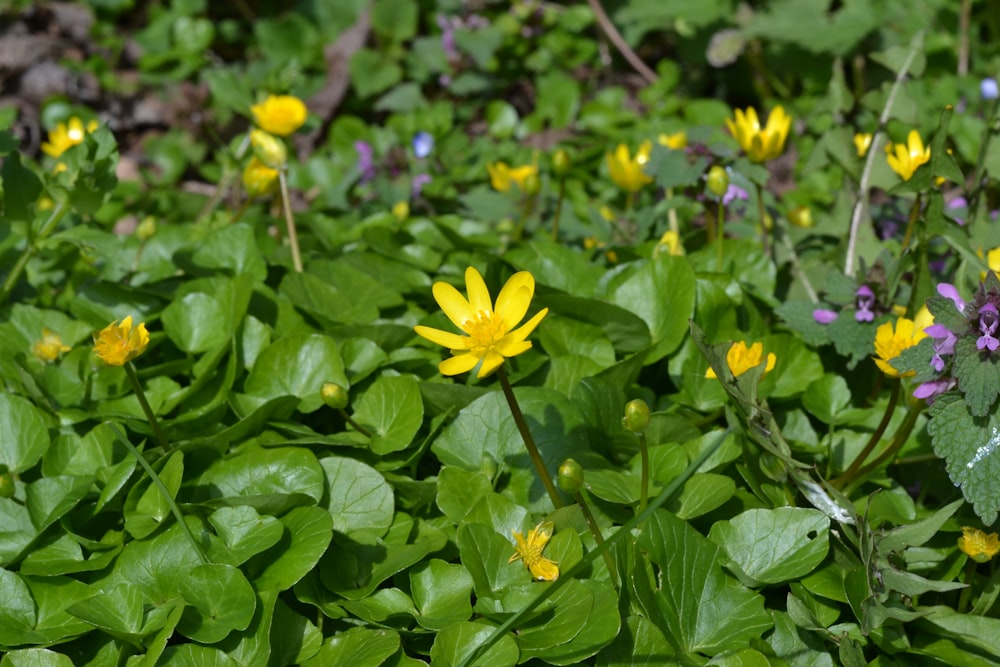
[(968, 446)]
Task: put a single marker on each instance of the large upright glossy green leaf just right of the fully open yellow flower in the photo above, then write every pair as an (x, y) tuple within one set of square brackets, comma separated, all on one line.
[(641, 290)]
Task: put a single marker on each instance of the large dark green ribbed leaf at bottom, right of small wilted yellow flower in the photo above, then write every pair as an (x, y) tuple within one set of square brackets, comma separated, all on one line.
[(697, 604)]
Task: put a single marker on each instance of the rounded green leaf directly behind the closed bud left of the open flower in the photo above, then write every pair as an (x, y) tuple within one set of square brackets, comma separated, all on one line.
[(297, 366)]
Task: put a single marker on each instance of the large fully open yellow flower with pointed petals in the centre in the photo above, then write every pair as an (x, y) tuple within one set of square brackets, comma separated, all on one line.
[(491, 336)]
